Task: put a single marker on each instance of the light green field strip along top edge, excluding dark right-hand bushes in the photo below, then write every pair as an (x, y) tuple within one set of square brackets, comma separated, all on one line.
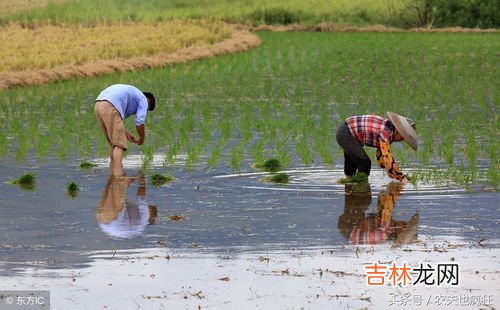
[(92, 12)]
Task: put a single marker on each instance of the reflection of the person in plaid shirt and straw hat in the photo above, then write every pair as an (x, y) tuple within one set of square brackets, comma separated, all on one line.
[(378, 227)]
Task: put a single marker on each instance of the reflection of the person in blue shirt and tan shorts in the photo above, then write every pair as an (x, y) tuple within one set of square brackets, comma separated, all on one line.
[(118, 217)]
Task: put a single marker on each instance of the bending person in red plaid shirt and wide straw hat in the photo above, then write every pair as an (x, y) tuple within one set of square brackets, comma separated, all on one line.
[(374, 131)]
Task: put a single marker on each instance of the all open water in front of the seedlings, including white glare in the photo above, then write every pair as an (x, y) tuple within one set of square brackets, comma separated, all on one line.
[(216, 239)]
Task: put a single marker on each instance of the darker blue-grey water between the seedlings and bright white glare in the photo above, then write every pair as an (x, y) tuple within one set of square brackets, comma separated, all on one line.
[(222, 212)]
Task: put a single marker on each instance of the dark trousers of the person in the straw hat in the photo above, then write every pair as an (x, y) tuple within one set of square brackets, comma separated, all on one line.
[(355, 158)]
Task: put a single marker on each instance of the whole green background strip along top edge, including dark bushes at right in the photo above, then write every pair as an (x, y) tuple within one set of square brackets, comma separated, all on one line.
[(400, 13)]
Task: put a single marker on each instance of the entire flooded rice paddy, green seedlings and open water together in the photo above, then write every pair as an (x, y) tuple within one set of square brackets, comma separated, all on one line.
[(219, 237)]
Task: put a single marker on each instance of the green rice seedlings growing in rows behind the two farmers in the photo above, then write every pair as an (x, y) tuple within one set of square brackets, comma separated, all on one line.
[(285, 99)]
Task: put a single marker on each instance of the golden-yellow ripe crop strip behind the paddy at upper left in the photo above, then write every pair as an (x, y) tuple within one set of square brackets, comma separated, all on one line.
[(46, 47)]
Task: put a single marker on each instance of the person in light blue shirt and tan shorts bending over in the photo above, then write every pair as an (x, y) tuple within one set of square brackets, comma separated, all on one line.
[(112, 106)]
